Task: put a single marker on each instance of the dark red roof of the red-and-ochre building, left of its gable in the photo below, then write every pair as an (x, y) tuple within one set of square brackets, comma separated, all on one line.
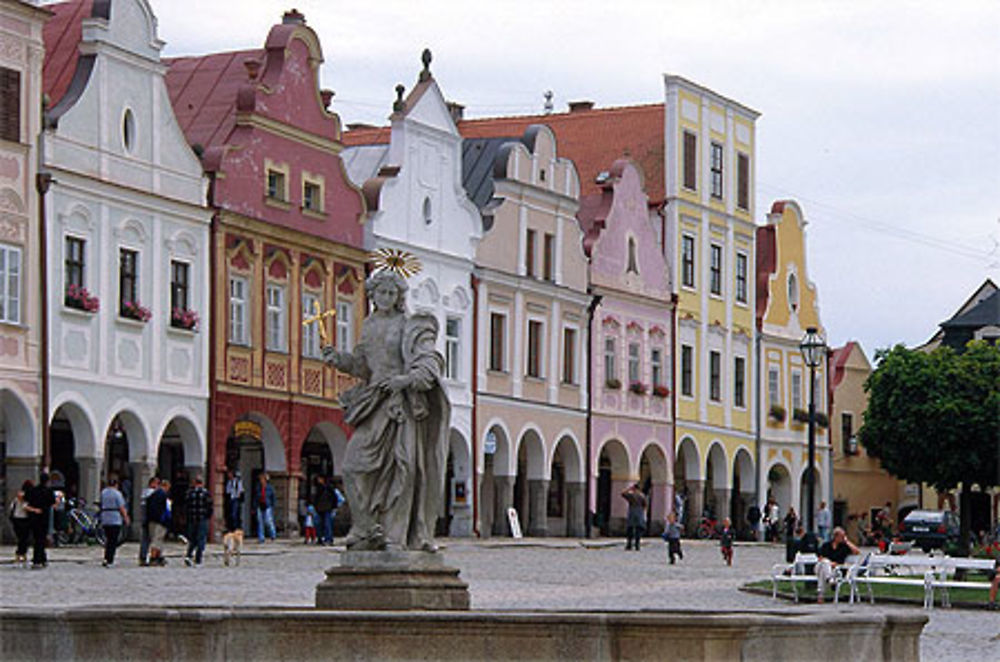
[(203, 93)]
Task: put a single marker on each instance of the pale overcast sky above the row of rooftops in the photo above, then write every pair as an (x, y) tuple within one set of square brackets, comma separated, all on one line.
[(881, 118)]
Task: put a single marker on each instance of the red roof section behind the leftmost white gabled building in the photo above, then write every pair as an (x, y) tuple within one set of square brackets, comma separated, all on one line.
[(62, 34)]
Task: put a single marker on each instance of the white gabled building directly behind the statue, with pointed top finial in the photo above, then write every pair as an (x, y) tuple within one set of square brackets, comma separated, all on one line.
[(416, 203)]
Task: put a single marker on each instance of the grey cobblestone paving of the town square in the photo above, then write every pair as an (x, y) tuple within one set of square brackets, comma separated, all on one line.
[(502, 574)]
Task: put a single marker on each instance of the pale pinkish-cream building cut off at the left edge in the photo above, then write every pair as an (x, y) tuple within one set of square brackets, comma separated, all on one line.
[(21, 54)]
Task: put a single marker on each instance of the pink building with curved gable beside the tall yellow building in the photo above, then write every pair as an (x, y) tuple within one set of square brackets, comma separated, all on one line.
[(631, 358)]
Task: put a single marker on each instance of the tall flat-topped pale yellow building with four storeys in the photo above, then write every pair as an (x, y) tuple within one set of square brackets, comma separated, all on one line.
[(709, 242)]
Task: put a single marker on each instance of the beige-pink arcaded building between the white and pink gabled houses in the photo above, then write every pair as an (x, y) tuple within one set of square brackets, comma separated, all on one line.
[(532, 317)]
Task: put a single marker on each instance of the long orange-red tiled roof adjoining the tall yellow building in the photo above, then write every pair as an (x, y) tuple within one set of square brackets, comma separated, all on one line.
[(593, 139)]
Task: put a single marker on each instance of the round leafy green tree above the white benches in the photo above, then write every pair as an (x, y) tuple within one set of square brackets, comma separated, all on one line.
[(934, 417)]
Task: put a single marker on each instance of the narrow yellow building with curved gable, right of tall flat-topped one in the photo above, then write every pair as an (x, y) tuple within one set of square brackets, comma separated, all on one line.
[(790, 307)]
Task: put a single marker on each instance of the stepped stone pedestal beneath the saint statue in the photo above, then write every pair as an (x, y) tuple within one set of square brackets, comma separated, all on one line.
[(392, 580)]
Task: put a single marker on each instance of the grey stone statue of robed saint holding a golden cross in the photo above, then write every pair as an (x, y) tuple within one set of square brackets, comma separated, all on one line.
[(394, 468)]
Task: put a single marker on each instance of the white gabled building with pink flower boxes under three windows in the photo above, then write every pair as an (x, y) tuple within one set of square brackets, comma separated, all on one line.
[(127, 235)]
